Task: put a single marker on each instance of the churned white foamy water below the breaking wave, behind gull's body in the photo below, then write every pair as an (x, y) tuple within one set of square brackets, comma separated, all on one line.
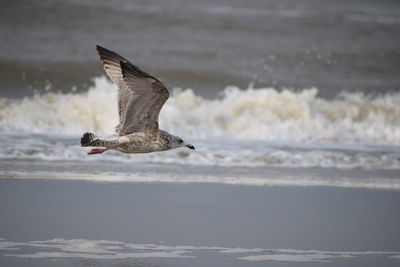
[(211, 153)]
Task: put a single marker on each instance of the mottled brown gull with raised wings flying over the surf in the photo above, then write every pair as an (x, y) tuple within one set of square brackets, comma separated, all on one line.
[(140, 99)]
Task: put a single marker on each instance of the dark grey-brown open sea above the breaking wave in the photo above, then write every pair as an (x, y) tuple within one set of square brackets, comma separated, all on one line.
[(350, 45)]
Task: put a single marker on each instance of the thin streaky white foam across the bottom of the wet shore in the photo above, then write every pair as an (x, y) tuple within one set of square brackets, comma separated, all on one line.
[(111, 250)]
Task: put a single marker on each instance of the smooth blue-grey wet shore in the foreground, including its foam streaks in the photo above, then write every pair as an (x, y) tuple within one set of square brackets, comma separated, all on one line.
[(147, 224)]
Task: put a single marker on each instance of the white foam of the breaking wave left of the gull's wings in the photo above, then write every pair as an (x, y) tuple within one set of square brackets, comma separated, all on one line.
[(59, 113)]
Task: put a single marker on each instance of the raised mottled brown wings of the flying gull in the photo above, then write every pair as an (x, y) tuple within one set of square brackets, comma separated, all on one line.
[(140, 95)]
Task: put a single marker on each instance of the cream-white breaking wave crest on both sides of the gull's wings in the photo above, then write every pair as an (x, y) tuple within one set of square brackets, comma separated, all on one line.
[(264, 114)]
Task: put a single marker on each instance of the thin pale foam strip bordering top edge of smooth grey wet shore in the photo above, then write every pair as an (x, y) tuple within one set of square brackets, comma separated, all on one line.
[(247, 179)]
